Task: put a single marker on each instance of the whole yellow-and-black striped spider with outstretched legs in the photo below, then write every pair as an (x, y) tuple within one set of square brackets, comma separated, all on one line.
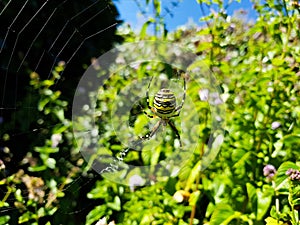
[(164, 108)]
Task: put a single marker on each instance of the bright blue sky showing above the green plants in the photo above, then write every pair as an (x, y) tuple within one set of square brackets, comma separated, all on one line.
[(185, 11)]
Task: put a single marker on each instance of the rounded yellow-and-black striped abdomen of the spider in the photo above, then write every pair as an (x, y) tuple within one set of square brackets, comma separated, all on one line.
[(164, 102)]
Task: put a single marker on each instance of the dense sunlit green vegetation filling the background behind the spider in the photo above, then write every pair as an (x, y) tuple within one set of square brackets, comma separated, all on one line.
[(243, 87)]
